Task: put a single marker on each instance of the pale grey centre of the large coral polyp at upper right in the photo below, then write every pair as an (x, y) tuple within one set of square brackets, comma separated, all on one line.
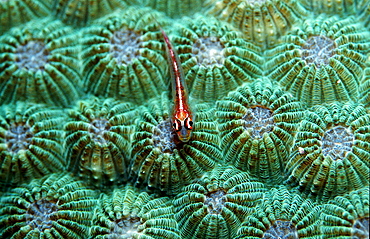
[(318, 50)]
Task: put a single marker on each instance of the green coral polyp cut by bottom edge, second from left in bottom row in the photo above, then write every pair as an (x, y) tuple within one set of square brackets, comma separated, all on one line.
[(126, 213)]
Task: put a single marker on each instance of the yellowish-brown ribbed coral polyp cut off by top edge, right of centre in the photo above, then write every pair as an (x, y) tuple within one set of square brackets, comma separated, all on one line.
[(261, 21)]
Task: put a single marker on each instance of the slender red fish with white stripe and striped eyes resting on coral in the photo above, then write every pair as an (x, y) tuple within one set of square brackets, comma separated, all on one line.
[(182, 117)]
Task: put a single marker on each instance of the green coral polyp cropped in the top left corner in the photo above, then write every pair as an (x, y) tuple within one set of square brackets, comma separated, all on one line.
[(16, 12)]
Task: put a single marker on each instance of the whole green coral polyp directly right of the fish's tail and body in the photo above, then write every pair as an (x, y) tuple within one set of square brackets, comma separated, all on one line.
[(215, 58)]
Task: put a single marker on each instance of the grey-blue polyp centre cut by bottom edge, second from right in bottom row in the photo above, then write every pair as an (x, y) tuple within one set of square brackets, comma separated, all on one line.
[(281, 229)]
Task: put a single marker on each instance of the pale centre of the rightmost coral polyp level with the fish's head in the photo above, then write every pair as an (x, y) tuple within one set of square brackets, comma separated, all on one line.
[(337, 142)]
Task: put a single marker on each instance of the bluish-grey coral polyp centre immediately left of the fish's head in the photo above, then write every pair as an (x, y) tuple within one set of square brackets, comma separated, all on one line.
[(164, 137)]
